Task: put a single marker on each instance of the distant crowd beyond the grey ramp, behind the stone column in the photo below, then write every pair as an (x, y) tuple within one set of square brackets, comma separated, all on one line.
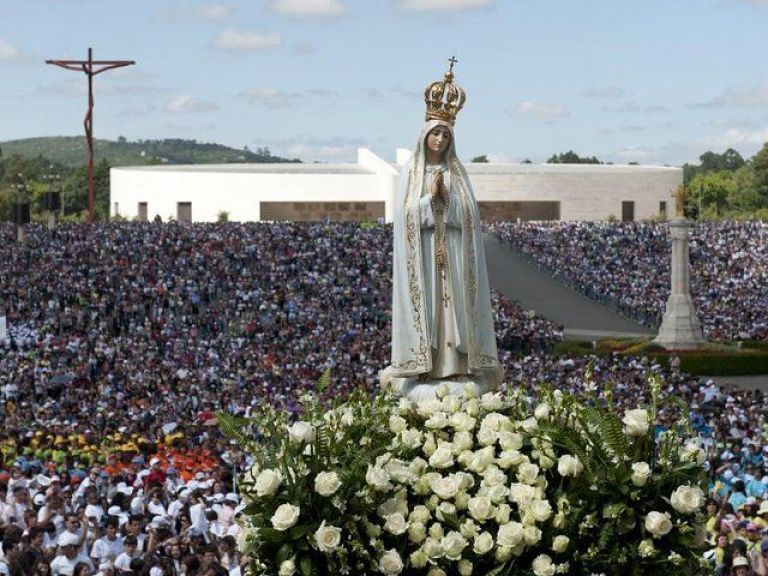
[(627, 265)]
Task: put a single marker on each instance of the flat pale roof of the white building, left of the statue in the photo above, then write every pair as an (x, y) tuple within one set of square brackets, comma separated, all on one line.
[(251, 168)]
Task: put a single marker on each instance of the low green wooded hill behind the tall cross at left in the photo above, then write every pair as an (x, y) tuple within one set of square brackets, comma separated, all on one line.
[(71, 151)]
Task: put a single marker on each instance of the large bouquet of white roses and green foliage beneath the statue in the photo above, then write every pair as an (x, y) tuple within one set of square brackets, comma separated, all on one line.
[(465, 485)]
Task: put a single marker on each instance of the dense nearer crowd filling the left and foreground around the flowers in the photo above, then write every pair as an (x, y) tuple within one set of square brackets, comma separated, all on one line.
[(127, 338)]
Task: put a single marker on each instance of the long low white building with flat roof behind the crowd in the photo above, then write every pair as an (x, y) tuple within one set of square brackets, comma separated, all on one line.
[(365, 191)]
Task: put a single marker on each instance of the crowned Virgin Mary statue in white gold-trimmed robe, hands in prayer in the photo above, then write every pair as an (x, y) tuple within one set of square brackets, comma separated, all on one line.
[(442, 322)]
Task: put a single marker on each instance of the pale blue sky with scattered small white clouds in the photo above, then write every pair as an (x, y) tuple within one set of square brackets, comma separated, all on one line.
[(656, 82)]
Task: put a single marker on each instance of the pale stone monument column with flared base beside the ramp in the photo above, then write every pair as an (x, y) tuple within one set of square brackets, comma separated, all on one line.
[(680, 328)]
